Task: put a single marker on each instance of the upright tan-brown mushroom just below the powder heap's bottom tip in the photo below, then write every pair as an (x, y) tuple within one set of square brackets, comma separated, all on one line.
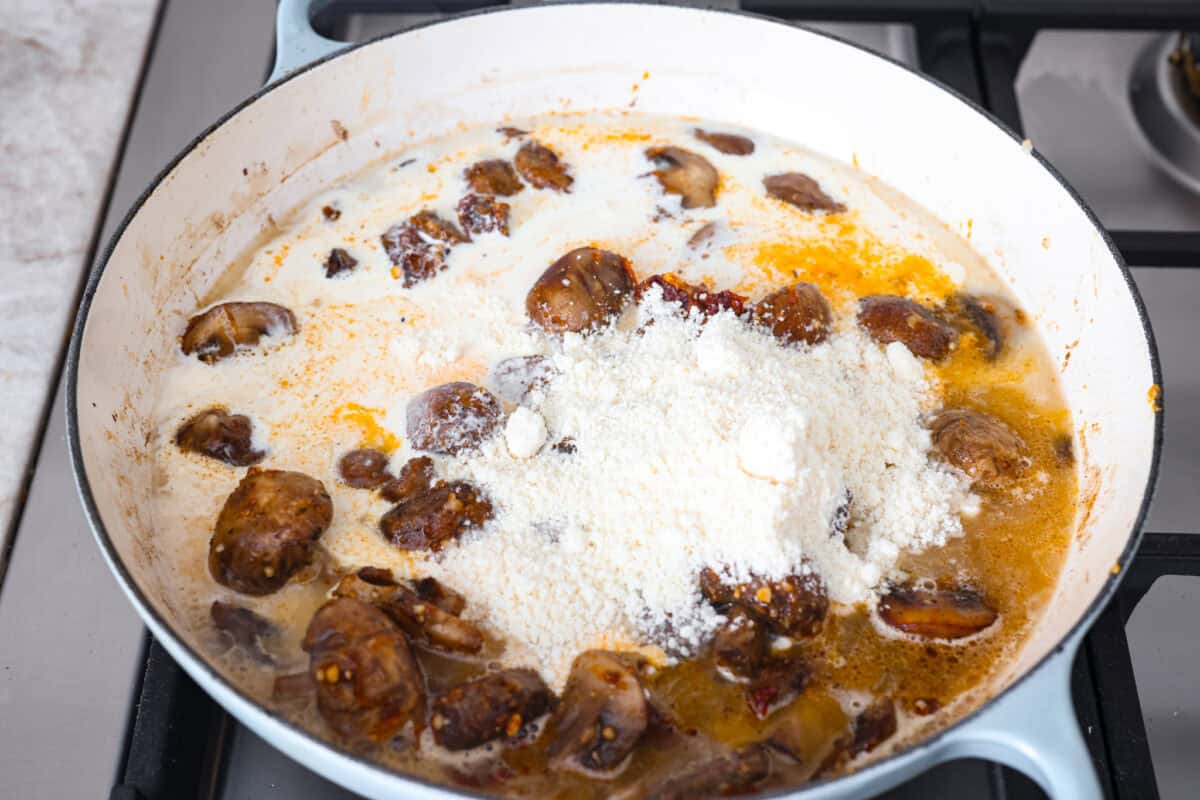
[(603, 713)]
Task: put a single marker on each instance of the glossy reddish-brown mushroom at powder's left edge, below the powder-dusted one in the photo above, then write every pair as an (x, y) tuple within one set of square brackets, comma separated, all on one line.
[(430, 521)]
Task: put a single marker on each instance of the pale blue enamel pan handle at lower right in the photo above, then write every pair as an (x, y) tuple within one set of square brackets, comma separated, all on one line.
[(1034, 730)]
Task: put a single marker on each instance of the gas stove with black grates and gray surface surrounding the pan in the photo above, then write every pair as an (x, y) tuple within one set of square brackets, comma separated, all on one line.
[(94, 707)]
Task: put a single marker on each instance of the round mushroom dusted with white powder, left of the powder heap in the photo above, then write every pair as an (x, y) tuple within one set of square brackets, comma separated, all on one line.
[(452, 418)]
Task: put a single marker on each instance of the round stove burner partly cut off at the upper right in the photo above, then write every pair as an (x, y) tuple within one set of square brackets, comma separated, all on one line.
[(1165, 92)]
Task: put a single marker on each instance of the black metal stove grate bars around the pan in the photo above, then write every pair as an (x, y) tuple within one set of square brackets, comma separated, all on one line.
[(178, 738)]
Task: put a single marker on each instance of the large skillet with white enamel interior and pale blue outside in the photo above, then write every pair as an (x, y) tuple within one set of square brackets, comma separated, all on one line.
[(328, 106)]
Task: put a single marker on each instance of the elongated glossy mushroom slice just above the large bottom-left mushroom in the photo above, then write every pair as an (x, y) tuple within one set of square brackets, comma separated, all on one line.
[(423, 622)]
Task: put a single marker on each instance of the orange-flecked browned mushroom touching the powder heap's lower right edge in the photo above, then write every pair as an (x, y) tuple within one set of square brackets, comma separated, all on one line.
[(793, 606)]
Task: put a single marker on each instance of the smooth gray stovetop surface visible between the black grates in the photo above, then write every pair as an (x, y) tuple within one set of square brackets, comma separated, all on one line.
[(70, 643)]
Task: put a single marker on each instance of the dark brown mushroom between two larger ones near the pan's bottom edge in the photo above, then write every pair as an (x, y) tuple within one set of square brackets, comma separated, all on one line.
[(494, 707)]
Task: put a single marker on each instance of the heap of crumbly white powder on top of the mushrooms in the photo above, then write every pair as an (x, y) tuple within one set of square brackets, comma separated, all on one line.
[(697, 446)]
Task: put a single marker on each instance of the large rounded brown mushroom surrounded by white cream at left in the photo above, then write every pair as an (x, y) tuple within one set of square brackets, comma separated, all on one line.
[(268, 531)]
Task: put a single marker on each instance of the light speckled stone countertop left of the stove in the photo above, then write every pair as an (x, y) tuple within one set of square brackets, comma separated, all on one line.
[(68, 74)]
